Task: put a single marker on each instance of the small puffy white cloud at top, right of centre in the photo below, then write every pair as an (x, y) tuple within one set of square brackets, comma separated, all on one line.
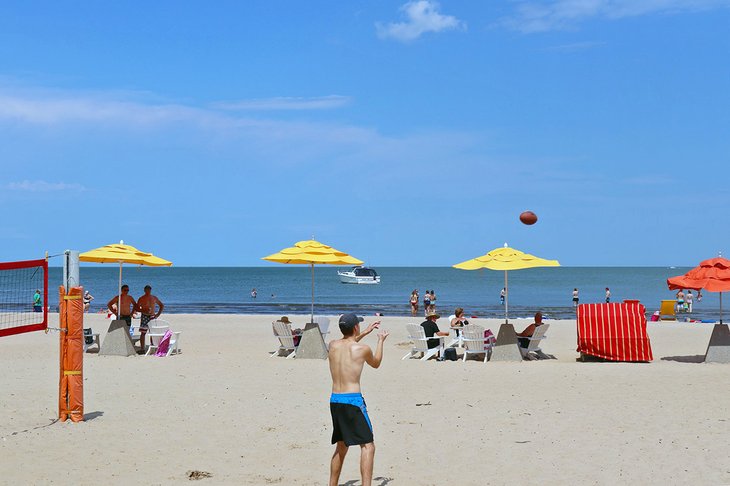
[(422, 16)]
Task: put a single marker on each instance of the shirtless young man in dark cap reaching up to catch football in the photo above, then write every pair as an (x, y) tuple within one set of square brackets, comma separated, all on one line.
[(349, 415)]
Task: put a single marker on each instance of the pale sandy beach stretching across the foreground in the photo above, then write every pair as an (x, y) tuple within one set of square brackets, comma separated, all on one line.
[(223, 406)]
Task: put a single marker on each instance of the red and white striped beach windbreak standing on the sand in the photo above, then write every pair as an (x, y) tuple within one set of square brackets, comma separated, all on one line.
[(616, 332)]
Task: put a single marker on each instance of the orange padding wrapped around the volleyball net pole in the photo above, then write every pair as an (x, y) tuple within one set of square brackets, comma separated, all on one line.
[(71, 393)]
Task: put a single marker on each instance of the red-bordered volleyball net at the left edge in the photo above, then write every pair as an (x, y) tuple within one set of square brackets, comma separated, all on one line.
[(23, 296)]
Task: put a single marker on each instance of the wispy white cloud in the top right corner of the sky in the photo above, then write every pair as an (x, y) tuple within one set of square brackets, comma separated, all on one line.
[(535, 16)]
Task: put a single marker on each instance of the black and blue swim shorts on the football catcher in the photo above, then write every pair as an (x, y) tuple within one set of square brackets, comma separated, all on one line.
[(350, 419)]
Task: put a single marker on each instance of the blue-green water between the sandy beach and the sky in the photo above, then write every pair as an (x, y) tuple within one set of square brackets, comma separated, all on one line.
[(286, 289)]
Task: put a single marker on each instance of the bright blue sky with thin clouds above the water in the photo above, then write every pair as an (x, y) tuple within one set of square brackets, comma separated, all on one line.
[(405, 133)]
